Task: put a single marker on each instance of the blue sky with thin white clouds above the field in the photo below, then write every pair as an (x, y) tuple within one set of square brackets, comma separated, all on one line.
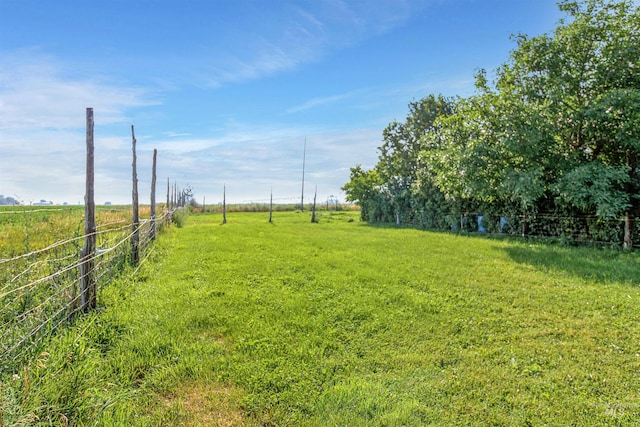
[(229, 91)]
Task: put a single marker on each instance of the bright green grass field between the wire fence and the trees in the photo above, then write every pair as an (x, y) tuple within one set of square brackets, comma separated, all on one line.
[(344, 324)]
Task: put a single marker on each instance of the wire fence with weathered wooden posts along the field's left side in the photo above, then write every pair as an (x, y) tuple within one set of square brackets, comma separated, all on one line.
[(43, 288)]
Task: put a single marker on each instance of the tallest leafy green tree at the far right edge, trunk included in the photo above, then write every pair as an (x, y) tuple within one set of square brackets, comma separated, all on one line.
[(585, 81)]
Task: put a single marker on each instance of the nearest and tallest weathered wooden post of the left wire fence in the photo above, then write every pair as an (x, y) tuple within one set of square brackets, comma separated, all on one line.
[(87, 254)]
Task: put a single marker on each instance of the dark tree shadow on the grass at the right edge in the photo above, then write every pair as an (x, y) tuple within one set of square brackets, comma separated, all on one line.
[(601, 265)]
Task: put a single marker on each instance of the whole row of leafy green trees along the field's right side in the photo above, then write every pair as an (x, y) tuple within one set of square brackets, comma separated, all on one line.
[(549, 144)]
